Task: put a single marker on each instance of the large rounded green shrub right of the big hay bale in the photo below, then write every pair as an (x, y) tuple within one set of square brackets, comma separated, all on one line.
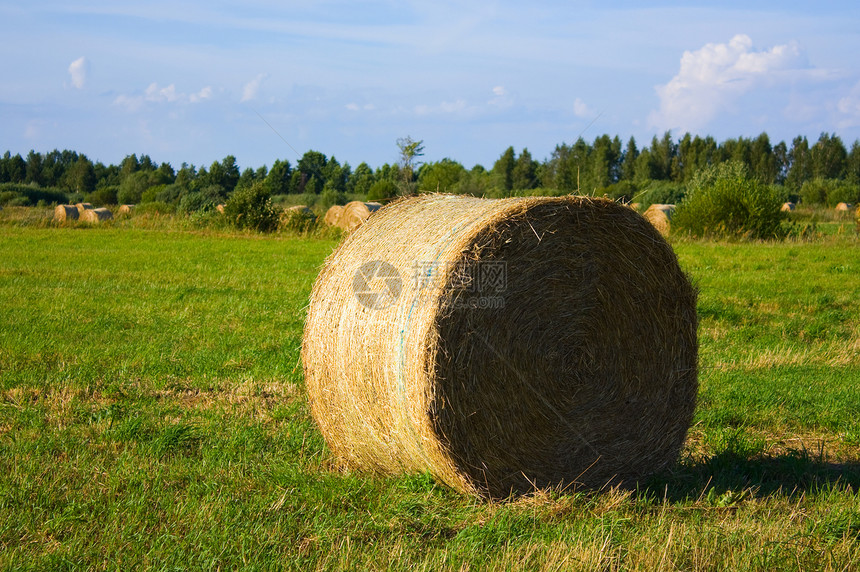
[(726, 201)]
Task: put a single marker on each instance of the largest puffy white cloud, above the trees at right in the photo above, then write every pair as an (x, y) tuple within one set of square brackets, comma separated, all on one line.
[(715, 76)]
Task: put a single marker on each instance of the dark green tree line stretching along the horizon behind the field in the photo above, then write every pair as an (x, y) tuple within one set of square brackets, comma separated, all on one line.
[(822, 171)]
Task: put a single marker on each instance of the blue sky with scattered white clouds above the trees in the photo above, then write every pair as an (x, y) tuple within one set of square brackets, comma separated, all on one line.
[(195, 81)]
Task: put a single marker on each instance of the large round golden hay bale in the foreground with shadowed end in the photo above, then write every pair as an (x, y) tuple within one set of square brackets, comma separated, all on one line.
[(503, 345)]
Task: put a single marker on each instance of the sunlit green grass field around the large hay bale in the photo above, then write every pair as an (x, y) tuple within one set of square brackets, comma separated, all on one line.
[(152, 415)]
